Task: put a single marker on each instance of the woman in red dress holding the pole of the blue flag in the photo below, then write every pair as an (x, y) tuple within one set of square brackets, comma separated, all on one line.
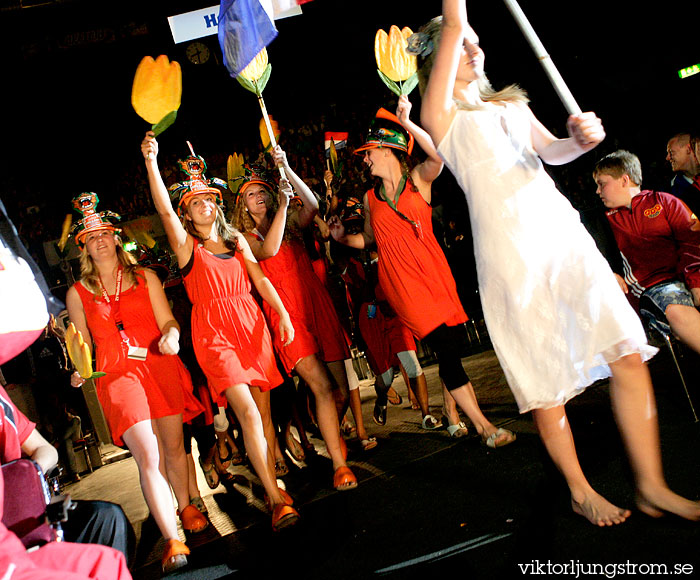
[(276, 242)]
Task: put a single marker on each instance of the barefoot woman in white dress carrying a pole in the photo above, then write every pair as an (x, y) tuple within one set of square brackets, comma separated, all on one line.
[(554, 311)]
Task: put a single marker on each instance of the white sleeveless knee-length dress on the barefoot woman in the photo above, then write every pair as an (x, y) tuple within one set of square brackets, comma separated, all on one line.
[(553, 308)]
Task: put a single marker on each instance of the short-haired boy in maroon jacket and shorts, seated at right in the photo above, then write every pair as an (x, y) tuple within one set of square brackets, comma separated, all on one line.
[(659, 239)]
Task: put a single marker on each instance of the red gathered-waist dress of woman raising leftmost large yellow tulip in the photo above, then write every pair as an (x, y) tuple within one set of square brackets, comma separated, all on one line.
[(231, 340)]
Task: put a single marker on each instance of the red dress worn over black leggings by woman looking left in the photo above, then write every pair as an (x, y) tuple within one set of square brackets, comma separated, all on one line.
[(413, 270)]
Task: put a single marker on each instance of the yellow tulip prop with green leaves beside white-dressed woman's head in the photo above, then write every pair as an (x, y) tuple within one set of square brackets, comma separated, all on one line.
[(395, 66)]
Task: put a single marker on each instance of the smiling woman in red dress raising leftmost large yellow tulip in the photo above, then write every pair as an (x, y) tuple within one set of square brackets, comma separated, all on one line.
[(231, 340)]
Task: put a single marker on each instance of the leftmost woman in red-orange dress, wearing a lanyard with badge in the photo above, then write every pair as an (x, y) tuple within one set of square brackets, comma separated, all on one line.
[(121, 309)]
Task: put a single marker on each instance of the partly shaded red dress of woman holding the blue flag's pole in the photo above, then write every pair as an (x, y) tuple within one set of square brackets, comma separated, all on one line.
[(317, 329)]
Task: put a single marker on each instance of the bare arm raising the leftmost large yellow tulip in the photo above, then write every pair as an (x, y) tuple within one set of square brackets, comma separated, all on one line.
[(179, 241)]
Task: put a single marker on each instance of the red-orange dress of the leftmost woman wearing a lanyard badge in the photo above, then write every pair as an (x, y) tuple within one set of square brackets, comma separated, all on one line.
[(132, 390)]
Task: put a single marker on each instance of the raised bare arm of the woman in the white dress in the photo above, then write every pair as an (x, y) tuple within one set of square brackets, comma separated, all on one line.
[(438, 109)]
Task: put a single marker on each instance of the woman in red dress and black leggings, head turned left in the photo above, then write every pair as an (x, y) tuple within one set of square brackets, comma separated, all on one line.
[(413, 270)]
